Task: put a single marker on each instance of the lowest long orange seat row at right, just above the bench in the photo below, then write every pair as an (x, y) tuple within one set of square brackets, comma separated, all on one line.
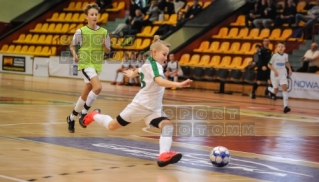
[(214, 61)]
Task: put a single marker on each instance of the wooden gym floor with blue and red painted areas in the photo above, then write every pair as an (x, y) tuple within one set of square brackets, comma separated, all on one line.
[(35, 144)]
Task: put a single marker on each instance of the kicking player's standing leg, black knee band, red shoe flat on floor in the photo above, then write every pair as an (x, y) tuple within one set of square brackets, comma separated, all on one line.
[(166, 156)]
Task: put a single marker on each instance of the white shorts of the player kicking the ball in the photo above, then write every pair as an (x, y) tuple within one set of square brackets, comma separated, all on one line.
[(133, 113)]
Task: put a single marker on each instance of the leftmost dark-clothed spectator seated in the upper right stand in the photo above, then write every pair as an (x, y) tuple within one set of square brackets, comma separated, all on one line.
[(256, 12)]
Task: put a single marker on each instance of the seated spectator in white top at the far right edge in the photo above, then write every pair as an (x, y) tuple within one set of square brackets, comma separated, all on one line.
[(310, 60)]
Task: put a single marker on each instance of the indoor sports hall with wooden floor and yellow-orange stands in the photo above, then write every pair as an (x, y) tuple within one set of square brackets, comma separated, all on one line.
[(214, 43)]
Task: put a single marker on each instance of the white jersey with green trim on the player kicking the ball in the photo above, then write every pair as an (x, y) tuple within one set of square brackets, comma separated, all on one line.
[(151, 94)]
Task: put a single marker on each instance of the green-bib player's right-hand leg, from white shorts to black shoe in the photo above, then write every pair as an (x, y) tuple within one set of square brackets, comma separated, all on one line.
[(92, 76)]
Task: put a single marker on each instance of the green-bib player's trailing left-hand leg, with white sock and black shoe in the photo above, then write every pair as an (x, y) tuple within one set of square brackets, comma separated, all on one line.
[(79, 105)]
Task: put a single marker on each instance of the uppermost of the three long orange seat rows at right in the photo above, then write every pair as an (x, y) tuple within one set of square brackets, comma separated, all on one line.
[(255, 33)]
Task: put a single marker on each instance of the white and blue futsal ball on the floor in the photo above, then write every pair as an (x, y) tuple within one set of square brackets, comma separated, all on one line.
[(219, 156)]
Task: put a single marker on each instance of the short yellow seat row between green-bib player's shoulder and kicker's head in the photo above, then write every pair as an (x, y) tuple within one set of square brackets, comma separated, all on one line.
[(138, 43)]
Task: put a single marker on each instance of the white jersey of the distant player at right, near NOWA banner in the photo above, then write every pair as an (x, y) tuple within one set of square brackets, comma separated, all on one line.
[(278, 61)]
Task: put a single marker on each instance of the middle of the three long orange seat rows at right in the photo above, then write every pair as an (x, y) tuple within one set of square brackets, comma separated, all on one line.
[(245, 48)]
